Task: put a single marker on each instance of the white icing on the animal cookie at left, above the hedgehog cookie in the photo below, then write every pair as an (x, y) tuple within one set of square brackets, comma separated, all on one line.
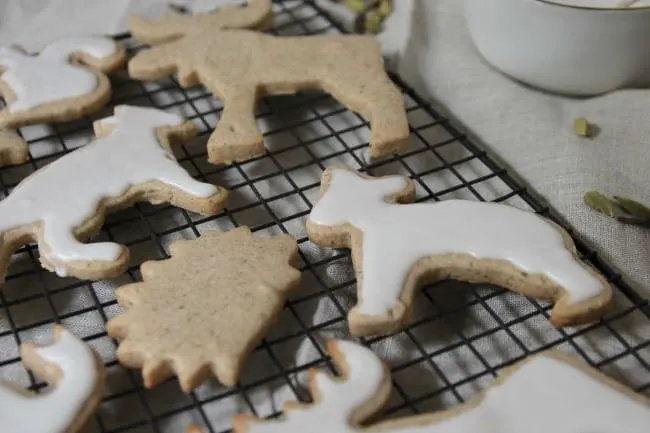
[(65, 193)]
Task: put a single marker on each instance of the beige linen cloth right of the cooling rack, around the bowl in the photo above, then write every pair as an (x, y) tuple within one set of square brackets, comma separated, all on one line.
[(532, 132)]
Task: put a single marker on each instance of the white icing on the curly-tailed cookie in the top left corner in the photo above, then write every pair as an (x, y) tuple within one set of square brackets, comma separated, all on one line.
[(49, 76)]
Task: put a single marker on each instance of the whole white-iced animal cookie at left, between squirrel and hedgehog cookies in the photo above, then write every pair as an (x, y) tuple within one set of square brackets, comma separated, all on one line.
[(64, 203)]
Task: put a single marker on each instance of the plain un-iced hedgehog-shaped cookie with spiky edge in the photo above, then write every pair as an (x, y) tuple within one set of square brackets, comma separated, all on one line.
[(203, 310)]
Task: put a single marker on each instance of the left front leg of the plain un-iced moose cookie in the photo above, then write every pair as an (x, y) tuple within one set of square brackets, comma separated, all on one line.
[(237, 137)]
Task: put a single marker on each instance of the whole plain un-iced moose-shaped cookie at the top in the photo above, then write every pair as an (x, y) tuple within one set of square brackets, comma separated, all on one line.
[(239, 66)]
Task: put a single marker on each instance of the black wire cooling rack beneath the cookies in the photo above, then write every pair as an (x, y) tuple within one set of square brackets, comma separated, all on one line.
[(462, 335)]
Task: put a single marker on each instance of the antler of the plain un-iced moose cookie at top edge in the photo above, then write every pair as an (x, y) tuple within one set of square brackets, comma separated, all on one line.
[(257, 14)]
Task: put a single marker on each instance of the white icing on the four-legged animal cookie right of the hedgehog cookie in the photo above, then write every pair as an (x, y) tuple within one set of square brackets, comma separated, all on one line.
[(396, 236)]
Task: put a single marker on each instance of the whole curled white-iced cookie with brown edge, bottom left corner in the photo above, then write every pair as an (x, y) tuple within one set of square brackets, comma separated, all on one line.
[(76, 375)]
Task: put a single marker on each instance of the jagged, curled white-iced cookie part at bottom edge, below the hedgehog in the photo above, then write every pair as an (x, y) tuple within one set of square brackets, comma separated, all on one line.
[(340, 403)]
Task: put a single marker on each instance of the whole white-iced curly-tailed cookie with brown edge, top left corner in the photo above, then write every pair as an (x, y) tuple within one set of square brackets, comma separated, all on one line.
[(65, 81)]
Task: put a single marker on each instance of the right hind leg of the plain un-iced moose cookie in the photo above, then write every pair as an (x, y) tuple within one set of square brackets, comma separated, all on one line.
[(381, 102)]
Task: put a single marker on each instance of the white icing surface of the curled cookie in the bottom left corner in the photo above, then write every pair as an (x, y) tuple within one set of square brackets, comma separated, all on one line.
[(56, 410)]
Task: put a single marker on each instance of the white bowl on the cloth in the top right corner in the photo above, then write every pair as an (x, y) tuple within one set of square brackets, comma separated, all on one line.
[(563, 49)]
